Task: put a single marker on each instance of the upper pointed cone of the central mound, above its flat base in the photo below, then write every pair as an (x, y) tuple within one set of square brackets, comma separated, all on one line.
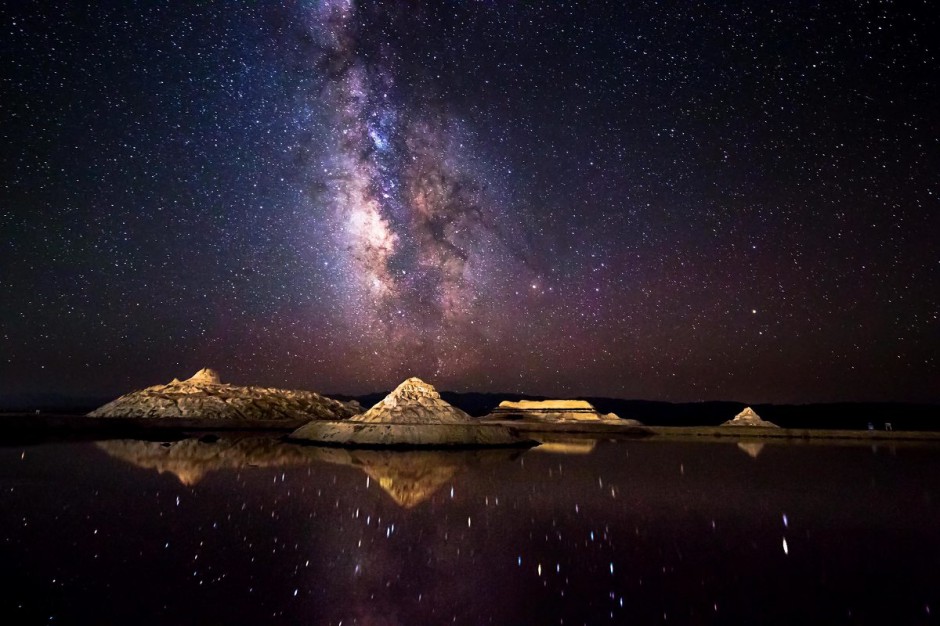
[(414, 402)]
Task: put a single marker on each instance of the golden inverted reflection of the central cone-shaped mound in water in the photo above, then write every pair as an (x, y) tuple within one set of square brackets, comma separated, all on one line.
[(411, 477)]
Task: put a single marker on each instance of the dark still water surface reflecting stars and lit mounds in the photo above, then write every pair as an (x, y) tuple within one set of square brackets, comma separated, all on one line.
[(252, 531)]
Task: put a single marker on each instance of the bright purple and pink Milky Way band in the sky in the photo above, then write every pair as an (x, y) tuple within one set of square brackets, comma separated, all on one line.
[(415, 229)]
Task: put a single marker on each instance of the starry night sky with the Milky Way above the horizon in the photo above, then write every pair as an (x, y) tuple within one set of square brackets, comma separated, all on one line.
[(677, 201)]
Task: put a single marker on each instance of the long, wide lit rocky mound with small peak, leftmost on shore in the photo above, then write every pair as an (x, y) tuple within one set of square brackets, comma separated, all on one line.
[(204, 396)]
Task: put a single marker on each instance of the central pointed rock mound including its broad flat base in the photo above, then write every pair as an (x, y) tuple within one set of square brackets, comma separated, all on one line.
[(412, 415)]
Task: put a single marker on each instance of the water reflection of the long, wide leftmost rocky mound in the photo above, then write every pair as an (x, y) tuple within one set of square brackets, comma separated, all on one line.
[(190, 459)]
